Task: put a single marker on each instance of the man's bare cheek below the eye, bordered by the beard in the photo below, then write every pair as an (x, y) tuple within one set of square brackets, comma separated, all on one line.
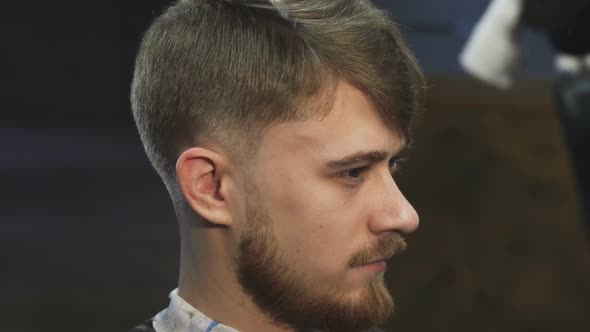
[(318, 229)]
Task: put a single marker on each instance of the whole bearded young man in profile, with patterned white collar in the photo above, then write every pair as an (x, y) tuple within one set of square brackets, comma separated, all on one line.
[(276, 127)]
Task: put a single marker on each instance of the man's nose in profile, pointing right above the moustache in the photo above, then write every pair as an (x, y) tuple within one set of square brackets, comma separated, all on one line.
[(392, 211)]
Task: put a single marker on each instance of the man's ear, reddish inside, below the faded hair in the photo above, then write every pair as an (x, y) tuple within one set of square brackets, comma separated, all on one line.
[(202, 176)]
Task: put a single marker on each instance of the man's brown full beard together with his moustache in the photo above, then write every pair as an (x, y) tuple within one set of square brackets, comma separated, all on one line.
[(292, 299)]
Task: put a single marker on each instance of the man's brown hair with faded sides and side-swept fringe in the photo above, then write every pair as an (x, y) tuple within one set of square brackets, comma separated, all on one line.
[(228, 69)]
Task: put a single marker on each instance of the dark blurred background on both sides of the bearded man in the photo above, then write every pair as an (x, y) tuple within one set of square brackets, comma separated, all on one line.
[(88, 238)]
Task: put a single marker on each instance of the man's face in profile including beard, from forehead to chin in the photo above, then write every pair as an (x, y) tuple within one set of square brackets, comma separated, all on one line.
[(321, 206)]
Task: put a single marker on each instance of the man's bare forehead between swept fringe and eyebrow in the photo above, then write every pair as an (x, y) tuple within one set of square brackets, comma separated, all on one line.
[(352, 125)]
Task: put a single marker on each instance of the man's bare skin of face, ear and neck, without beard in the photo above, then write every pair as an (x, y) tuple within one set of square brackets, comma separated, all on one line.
[(320, 215)]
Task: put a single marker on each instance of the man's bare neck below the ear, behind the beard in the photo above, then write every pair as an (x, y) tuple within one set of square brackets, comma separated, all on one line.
[(209, 283)]
